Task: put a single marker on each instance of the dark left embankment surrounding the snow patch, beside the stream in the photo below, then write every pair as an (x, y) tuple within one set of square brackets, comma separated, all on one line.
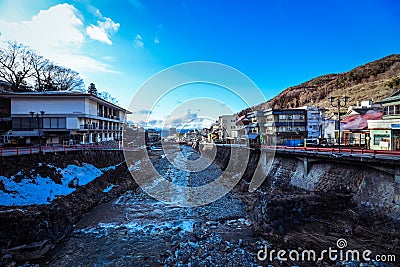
[(27, 232)]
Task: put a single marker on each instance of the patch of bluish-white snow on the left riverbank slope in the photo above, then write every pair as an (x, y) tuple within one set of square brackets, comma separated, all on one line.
[(43, 190)]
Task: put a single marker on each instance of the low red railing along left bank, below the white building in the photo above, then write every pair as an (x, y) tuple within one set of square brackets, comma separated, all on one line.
[(16, 151)]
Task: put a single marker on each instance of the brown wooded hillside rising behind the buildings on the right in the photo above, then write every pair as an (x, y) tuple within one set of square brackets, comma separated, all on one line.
[(375, 80)]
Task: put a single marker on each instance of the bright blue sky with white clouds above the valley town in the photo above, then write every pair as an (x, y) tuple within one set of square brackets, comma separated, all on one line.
[(118, 45)]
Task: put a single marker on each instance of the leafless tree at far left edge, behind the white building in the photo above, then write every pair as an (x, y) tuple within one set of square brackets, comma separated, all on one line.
[(15, 65)]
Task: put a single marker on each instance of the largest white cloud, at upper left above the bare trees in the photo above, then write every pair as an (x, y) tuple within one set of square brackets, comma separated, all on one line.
[(57, 34)]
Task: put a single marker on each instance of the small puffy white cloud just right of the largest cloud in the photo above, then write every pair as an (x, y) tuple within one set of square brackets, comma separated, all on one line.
[(103, 30)]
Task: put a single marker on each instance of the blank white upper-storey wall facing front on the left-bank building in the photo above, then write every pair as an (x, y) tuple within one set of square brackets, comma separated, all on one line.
[(49, 105)]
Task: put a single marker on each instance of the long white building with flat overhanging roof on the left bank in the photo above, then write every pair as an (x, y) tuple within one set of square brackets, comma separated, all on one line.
[(68, 116)]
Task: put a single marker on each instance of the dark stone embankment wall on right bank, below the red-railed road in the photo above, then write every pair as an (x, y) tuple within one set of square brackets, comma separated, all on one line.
[(313, 206)]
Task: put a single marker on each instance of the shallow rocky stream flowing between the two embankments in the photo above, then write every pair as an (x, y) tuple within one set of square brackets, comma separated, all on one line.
[(138, 230)]
